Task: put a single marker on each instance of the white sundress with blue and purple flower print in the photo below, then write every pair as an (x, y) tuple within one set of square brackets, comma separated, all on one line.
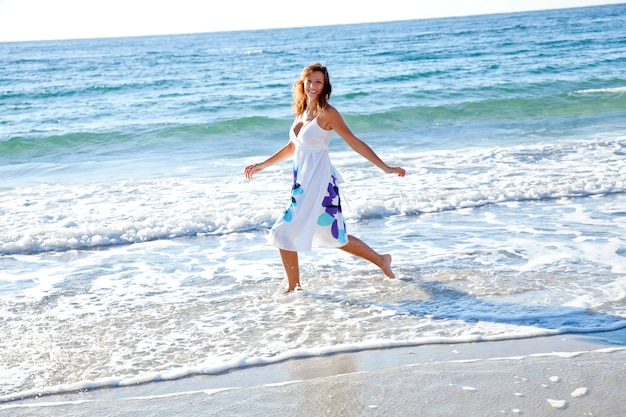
[(314, 214)]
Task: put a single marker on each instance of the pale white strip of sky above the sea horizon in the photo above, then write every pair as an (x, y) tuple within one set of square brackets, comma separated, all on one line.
[(22, 20)]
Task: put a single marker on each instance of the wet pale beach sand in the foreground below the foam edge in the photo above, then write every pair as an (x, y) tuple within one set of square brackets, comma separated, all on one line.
[(564, 375)]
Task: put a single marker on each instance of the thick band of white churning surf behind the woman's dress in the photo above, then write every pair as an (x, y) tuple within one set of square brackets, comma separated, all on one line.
[(59, 216)]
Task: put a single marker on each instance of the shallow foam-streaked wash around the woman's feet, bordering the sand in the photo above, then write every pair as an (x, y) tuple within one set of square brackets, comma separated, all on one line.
[(169, 308)]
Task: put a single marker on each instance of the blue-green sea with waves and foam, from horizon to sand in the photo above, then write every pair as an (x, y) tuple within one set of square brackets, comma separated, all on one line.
[(133, 249)]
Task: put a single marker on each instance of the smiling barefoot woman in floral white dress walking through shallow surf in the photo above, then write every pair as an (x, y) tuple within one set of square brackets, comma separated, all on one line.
[(314, 214)]
